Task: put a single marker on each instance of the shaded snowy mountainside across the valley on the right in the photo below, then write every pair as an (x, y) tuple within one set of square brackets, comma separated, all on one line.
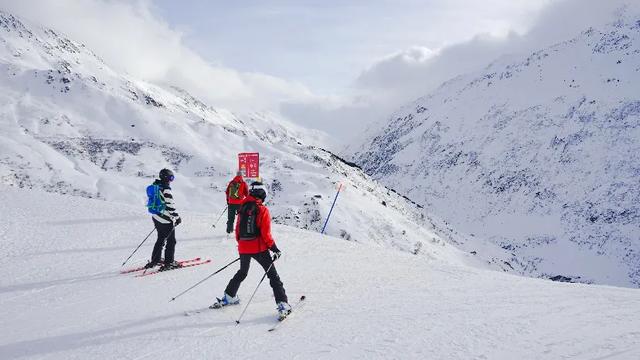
[(536, 156)]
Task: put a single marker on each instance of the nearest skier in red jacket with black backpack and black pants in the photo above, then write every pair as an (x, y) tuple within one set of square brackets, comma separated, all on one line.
[(253, 234)]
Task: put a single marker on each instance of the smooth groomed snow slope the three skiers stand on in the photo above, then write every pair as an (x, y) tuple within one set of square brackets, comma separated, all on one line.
[(62, 297)]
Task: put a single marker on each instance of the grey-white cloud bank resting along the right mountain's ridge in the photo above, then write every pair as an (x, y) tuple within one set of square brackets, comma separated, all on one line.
[(406, 75)]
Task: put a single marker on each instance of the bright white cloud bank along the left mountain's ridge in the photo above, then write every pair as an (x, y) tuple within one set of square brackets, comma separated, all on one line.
[(130, 37)]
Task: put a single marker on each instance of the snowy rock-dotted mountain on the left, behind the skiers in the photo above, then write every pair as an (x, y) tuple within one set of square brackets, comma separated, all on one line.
[(72, 125)]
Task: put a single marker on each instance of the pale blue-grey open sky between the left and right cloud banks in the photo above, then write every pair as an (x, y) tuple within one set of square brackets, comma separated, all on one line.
[(325, 44)]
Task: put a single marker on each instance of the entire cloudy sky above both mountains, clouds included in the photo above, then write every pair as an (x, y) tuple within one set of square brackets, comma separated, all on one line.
[(336, 66)]
